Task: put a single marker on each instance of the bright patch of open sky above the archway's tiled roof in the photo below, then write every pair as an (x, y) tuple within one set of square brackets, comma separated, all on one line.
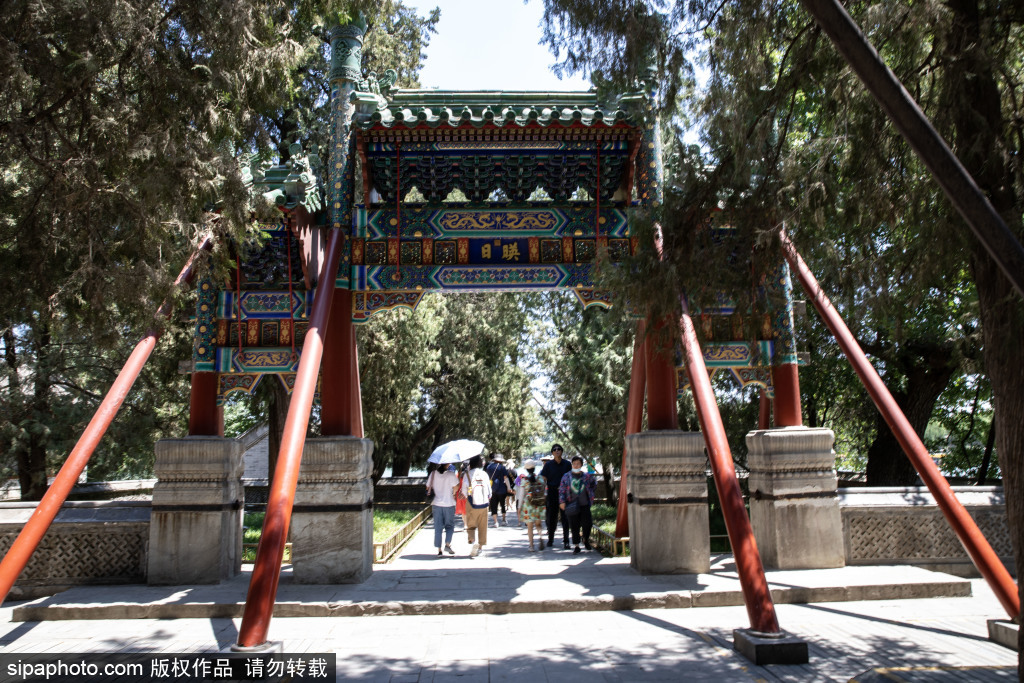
[(490, 46)]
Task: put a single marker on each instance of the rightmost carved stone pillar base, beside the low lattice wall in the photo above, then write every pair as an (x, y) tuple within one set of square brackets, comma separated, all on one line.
[(794, 506)]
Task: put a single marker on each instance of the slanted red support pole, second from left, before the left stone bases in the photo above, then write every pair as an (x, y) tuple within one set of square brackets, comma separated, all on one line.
[(267, 572)]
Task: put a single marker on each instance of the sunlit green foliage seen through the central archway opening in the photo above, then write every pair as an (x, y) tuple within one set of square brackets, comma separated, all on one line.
[(451, 370)]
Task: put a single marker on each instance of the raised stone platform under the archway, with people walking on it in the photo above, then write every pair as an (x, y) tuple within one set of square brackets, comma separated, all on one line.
[(506, 578)]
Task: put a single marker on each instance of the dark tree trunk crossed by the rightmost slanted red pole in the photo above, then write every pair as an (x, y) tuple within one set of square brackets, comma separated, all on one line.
[(928, 372)]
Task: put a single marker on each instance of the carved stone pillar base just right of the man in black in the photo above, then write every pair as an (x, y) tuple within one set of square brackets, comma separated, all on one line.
[(668, 500)]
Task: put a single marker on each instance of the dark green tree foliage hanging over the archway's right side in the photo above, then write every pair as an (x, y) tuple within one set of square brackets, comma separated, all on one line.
[(791, 138)]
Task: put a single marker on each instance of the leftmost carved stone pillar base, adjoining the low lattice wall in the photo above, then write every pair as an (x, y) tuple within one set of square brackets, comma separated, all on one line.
[(196, 527)]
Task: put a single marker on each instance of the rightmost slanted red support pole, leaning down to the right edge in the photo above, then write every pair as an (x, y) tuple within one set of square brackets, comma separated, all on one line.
[(967, 531)]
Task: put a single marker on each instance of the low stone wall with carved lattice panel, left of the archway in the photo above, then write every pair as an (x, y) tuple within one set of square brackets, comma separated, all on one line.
[(90, 543)]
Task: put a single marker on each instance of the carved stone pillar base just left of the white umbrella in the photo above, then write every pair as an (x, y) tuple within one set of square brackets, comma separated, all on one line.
[(332, 527)]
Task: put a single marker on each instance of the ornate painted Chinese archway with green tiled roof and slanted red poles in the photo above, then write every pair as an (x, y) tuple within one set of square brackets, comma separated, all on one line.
[(434, 191)]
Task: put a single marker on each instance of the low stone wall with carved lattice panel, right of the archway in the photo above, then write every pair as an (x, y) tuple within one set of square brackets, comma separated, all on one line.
[(904, 526)]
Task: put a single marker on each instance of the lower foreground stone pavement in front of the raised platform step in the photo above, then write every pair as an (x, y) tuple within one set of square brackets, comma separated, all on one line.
[(926, 638)]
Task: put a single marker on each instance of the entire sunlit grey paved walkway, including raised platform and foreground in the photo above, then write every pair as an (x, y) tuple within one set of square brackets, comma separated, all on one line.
[(924, 639)]
